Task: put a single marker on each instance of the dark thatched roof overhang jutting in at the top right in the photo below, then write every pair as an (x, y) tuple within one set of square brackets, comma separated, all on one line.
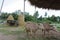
[(48, 4)]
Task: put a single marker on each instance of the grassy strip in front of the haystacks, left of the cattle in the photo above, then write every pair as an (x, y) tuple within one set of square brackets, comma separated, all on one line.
[(11, 30)]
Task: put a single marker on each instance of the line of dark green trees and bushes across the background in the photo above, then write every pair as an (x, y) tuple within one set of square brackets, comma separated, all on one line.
[(34, 18)]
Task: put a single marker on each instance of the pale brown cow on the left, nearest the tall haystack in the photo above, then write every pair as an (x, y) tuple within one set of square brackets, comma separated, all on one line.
[(31, 28)]
